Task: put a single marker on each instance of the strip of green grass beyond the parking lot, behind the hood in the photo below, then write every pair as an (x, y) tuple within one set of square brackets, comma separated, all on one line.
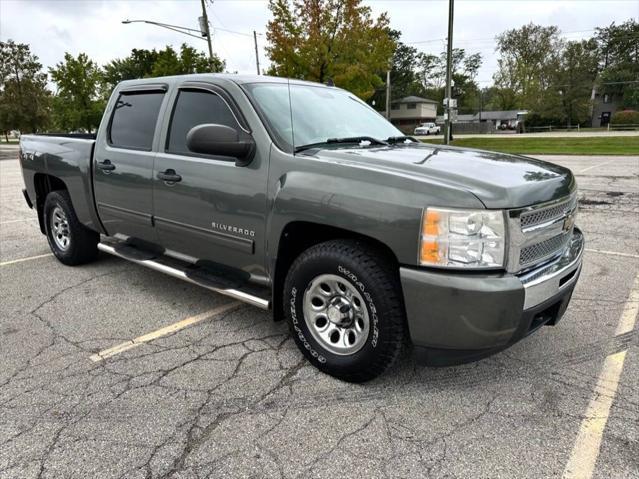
[(608, 145)]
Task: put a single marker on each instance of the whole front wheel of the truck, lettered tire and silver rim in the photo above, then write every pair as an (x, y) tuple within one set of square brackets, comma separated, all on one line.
[(344, 308)]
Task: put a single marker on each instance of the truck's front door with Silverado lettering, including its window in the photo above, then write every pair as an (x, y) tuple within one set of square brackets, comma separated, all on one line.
[(215, 212)]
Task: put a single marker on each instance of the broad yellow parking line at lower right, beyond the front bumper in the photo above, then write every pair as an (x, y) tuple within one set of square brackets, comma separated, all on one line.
[(581, 464)]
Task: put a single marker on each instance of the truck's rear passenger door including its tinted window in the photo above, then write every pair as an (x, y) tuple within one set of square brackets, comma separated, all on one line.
[(123, 163)]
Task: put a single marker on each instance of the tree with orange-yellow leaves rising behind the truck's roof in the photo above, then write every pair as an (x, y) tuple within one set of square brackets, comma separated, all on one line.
[(318, 40)]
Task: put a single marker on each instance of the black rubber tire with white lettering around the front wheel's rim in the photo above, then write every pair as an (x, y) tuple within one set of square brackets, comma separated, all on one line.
[(370, 274)]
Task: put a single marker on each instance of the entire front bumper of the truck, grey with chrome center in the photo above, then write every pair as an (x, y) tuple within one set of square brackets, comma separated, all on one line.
[(483, 312)]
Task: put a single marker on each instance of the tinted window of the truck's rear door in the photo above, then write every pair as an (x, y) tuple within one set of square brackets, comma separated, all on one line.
[(134, 119)]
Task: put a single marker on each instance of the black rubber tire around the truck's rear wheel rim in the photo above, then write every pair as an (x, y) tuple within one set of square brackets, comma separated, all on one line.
[(82, 246)]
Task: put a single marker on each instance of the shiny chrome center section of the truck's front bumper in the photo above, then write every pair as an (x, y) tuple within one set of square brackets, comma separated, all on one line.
[(546, 281)]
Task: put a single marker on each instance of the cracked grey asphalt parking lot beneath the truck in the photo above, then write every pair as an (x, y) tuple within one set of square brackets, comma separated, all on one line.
[(230, 396)]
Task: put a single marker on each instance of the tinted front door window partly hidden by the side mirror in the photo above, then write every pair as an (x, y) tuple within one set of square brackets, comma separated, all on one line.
[(192, 108)]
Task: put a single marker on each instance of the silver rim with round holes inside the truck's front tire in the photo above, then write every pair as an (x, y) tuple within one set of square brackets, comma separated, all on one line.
[(335, 314)]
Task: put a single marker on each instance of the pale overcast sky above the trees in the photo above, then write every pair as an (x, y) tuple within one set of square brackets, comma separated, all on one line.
[(52, 27)]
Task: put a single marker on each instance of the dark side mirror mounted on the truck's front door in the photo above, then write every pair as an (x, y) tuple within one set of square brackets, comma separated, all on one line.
[(213, 139)]
